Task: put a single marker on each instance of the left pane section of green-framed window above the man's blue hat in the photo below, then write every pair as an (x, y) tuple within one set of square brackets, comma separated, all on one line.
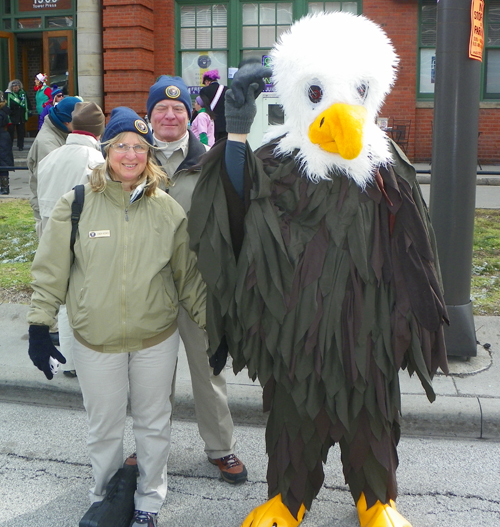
[(203, 42)]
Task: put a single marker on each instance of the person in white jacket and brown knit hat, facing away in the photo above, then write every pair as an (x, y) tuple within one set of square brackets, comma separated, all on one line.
[(58, 172)]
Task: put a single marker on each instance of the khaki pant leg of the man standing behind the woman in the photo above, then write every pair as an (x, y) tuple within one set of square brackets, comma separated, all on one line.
[(215, 423)]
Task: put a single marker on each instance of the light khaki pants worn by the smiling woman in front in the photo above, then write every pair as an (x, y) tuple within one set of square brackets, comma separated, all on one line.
[(106, 379)]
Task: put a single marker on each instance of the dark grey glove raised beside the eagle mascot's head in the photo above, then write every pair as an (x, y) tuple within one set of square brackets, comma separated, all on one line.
[(247, 85)]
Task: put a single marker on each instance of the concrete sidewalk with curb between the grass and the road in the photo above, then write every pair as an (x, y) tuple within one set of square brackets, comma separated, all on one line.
[(467, 404)]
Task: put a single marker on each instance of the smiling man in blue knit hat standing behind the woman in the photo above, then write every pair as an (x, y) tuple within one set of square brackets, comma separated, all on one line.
[(178, 153)]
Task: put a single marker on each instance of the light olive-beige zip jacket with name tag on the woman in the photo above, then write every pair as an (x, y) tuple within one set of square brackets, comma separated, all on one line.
[(132, 269)]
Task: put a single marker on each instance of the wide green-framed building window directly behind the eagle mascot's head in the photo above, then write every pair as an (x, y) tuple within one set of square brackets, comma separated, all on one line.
[(210, 36)]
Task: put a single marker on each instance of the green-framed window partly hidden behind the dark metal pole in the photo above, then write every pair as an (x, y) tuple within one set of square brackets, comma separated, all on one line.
[(427, 50)]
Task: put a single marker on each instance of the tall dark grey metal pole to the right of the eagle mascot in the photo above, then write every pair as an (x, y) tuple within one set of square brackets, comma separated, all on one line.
[(454, 168)]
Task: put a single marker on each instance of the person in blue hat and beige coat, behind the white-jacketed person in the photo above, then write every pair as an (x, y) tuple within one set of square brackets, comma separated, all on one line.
[(52, 135)]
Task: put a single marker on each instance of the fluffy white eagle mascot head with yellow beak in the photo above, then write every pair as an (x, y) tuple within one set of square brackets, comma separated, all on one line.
[(332, 72)]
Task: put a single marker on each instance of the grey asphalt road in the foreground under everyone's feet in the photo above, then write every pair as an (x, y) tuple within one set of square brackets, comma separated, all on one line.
[(45, 475)]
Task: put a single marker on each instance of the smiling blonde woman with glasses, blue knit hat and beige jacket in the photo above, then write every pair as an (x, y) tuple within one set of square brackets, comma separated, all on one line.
[(132, 270)]
